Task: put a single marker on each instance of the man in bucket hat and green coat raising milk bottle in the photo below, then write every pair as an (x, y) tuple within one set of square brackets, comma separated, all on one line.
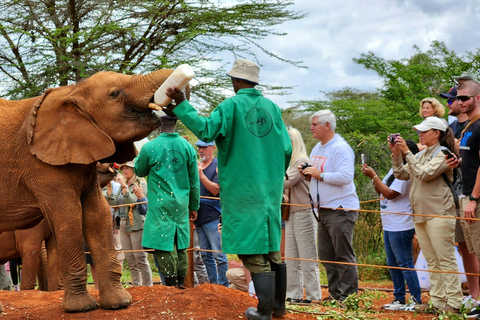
[(254, 151)]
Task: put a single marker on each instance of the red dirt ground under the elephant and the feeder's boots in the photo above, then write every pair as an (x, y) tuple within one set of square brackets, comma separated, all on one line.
[(203, 302)]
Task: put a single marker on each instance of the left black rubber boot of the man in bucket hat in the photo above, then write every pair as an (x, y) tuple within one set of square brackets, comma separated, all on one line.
[(265, 290)]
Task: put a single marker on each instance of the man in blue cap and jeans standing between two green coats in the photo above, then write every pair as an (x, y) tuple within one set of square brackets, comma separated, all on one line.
[(208, 216)]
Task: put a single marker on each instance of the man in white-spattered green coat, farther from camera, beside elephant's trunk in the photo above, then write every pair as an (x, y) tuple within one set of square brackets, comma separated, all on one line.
[(173, 192)]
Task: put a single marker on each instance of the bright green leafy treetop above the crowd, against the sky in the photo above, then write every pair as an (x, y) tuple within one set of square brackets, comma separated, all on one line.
[(425, 74)]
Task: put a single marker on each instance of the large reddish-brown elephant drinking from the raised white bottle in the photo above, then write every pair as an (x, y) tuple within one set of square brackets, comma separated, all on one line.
[(50, 146)]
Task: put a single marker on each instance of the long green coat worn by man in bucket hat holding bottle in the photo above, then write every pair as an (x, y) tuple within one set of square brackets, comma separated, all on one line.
[(254, 152)]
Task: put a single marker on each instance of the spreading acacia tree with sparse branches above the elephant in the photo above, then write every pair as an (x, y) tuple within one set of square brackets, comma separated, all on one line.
[(49, 43)]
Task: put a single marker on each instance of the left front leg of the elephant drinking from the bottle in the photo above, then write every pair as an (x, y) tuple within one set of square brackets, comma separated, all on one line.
[(67, 227)]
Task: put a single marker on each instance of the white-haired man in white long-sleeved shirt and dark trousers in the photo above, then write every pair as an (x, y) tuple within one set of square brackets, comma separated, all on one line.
[(331, 187)]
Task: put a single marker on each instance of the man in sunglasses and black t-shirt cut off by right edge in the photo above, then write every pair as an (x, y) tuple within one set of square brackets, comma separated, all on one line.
[(468, 98)]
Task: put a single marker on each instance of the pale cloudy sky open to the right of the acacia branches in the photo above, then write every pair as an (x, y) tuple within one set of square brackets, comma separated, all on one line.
[(335, 32)]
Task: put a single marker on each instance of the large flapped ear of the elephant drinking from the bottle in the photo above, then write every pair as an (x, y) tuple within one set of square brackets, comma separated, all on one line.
[(59, 132)]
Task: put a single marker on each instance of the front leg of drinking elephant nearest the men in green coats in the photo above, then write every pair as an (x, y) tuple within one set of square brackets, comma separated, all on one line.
[(98, 234)]
